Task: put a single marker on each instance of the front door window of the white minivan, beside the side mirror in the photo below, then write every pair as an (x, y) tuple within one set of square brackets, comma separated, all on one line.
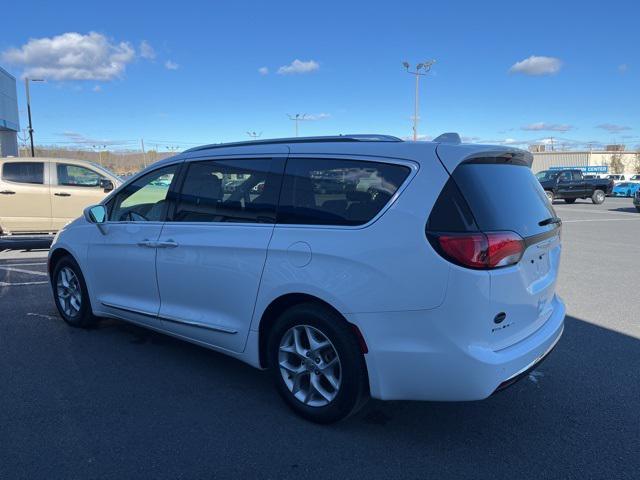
[(146, 199)]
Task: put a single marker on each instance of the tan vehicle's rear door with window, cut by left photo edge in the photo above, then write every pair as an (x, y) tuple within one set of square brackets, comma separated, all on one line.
[(25, 204)]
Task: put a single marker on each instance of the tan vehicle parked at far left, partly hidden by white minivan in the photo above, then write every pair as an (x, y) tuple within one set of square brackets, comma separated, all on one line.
[(41, 195)]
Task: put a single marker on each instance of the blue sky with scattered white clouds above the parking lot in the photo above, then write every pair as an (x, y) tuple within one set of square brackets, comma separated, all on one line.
[(196, 78)]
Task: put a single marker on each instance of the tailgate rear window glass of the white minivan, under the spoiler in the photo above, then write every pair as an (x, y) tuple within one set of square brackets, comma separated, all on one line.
[(504, 197)]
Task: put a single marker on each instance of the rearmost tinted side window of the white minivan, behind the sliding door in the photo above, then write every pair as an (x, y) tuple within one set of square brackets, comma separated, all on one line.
[(337, 192)]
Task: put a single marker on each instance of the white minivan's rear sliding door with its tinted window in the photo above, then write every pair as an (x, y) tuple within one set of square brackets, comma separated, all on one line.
[(217, 239)]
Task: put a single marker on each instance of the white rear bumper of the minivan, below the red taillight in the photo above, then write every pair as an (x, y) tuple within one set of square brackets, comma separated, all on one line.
[(411, 359)]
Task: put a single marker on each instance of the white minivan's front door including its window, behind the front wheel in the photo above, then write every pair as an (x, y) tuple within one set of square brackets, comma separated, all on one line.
[(123, 268)]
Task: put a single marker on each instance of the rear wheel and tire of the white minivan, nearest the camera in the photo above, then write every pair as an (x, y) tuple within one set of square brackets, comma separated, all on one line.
[(316, 363)]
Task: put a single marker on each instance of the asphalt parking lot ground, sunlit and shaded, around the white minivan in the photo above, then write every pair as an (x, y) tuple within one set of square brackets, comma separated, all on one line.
[(122, 402)]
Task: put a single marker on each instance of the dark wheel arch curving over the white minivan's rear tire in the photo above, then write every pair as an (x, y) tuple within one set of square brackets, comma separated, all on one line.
[(284, 302)]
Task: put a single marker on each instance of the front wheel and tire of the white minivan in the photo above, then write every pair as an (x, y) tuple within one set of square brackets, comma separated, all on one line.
[(70, 294)]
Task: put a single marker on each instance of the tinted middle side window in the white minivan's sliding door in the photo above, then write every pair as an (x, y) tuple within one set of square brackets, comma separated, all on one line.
[(238, 190)]
